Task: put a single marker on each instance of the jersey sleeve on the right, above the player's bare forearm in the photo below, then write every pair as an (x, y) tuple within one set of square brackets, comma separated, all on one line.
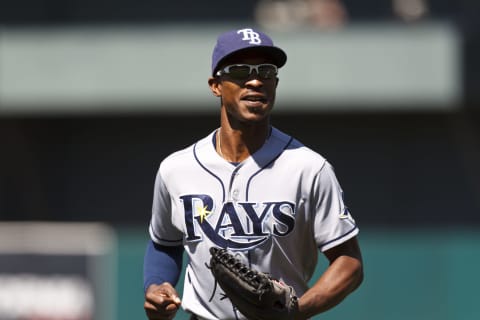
[(333, 222)]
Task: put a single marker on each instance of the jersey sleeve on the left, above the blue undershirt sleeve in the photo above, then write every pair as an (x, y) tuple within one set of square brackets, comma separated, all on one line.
[(162, 230)]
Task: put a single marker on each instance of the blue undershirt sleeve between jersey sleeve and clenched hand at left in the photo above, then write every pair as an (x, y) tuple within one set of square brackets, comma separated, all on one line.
[(161, 264)]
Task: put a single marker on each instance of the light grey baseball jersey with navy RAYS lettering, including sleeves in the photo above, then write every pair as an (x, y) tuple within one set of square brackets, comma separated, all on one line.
[(275, 210)]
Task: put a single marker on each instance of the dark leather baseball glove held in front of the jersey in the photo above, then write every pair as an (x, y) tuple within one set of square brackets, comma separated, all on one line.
[(255, 294)]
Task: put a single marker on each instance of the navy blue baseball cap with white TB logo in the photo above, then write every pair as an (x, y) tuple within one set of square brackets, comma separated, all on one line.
[(246, 39)]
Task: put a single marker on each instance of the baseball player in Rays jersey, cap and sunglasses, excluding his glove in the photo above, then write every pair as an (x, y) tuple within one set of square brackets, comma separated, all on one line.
[(252, 189)]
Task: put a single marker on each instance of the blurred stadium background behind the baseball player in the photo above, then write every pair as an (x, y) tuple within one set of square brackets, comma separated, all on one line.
[(93, 94)]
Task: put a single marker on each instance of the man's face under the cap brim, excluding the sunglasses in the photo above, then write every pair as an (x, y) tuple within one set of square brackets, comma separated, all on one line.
[(246, 100)]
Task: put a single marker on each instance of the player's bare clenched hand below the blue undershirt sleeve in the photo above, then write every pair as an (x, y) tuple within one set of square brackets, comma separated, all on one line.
[(161, 302)]
